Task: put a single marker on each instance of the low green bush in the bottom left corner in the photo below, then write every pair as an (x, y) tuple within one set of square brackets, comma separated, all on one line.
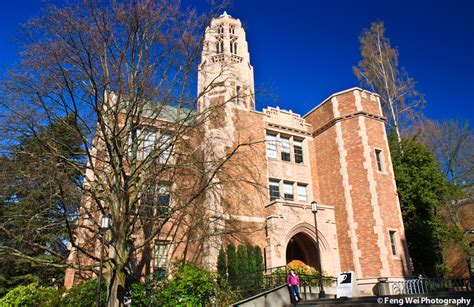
[(31, 295)]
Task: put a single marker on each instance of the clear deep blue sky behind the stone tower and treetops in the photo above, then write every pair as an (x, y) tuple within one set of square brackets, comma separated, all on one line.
[(303, 51)]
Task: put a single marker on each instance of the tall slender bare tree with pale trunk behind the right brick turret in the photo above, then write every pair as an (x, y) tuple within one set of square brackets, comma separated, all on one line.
[(378, 69)]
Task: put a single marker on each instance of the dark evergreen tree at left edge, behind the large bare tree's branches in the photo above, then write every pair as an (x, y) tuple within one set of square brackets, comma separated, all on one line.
[(37, 200)]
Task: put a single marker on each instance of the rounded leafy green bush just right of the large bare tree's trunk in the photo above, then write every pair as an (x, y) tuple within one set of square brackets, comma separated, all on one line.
[(191, 286)]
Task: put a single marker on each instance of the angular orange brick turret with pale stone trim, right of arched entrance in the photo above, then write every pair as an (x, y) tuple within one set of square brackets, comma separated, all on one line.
[(365, 200)]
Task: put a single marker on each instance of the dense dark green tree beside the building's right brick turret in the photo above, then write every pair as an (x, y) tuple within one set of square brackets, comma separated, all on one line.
[(421, 188)]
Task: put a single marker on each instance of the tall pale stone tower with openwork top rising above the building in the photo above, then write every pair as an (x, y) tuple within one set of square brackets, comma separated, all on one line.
[(226, 96)]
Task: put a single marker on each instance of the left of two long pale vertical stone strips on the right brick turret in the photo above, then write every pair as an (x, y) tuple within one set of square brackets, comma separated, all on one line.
[(352, 225)]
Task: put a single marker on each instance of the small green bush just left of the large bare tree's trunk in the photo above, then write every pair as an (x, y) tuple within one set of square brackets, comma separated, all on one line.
[(85, 294)]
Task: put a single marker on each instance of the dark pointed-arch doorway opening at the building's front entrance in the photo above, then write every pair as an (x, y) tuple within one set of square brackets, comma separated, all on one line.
[(302, 247)]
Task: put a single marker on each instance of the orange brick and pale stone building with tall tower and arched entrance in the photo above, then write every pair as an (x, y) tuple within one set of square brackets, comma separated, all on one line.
[(337, 155)]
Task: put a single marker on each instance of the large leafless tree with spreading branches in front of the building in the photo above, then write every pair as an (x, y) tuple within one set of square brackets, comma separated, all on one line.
[(124, 72)]
